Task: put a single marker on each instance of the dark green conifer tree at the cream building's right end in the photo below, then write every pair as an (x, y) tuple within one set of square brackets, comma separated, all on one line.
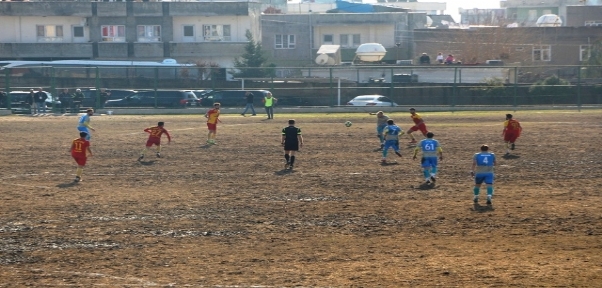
[(252, 64)]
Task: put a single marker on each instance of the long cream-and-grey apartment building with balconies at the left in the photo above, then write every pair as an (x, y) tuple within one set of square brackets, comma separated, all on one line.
[(210, 32)]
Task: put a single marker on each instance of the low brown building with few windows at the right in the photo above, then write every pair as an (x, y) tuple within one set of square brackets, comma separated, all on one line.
[(538, 46)]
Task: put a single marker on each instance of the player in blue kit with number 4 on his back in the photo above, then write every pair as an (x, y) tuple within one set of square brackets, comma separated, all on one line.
[(482, 170)]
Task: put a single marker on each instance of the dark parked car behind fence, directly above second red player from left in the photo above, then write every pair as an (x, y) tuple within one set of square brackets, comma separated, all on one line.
[(164, 98)]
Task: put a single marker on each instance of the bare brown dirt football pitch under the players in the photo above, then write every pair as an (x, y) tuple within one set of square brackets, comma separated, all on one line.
[(229, 216)]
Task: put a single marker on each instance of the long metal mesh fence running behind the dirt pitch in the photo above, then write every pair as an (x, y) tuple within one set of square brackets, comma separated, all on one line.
[(447, 85)]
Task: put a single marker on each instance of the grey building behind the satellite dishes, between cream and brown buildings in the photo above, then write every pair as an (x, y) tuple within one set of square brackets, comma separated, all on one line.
[(293, 40)]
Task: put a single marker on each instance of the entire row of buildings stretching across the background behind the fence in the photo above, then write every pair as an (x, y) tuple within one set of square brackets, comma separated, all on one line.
[(214, 32)]
